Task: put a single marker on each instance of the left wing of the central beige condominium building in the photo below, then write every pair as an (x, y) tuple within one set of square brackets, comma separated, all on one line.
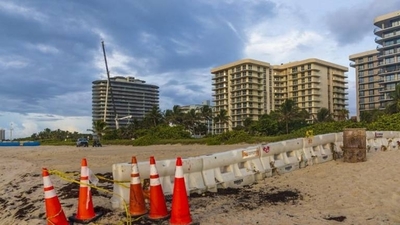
[(241, 89)]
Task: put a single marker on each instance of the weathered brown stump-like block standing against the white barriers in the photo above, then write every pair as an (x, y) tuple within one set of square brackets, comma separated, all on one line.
[(354, 145)]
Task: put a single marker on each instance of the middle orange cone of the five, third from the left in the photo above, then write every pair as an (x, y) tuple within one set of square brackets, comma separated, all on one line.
[(137, 206)]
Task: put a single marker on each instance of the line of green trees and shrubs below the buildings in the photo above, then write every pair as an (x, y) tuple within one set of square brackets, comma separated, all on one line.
[(173, 123)]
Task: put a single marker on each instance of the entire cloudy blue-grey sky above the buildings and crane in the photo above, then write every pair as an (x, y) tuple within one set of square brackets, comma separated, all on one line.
[(51, 50)]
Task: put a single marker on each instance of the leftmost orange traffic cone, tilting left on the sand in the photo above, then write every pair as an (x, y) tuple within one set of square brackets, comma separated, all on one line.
[(54, 211)]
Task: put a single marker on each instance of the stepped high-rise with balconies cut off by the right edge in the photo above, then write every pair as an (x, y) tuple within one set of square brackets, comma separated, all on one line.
[(380, 68)]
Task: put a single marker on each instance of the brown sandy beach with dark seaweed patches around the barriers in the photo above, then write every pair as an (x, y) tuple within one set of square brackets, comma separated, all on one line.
[(330, 193)]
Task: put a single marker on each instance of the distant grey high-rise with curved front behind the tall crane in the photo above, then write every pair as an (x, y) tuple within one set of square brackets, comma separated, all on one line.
[(127, 99)]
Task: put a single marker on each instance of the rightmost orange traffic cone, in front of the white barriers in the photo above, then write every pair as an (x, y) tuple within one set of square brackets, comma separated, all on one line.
[(180, 212)]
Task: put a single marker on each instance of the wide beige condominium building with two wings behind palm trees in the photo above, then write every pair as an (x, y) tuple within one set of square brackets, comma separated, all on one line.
[(249, 88)]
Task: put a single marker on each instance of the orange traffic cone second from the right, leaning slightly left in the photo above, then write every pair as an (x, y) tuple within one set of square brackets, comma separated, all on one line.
[(158, 207)]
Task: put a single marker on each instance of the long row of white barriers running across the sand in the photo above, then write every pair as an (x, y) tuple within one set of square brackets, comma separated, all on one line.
[(240, 167)]
